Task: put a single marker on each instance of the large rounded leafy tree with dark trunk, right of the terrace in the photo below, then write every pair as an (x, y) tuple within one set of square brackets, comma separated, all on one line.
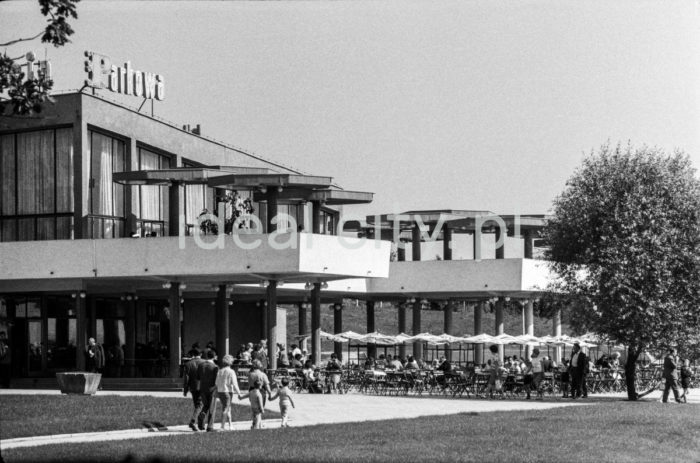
[(624, 239)]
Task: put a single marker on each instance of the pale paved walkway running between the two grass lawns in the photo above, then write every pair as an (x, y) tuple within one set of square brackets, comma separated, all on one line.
[(322, 409)]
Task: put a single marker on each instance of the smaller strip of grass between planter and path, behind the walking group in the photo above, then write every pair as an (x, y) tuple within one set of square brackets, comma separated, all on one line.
[(37, 415)]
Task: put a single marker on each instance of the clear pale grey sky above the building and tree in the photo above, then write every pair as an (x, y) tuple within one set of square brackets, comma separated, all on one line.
[(453, 104)]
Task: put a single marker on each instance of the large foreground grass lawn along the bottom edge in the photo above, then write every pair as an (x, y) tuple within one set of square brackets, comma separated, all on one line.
[(615, 431)]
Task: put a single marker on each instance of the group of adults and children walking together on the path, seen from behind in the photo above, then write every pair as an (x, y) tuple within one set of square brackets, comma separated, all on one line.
[(206, 382)]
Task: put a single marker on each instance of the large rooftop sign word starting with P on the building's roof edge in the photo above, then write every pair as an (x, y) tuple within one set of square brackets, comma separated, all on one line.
[(103, 74)]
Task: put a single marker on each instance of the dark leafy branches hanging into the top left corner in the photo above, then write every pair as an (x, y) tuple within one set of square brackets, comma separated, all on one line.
[(24, 95)]
